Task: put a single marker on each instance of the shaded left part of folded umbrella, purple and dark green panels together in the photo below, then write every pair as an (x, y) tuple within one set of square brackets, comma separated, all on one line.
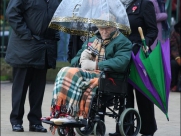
[(139, 79)]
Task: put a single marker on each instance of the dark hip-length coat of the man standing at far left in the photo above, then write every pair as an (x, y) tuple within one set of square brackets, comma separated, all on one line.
[(31, 40)]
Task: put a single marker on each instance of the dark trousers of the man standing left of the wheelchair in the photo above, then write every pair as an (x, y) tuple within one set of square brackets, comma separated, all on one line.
[(35, 80)]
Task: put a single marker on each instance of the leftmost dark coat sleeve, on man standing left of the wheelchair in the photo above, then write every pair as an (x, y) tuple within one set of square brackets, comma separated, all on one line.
[(14, 15)]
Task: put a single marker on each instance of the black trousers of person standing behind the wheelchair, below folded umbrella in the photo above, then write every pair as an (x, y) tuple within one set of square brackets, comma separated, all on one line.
[(146, 111)]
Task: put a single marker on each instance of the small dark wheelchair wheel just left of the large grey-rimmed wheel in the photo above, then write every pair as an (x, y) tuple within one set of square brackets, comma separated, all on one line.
[(99, 128)]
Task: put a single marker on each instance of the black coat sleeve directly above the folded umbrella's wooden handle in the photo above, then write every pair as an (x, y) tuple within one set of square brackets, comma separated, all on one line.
[(150, 22)]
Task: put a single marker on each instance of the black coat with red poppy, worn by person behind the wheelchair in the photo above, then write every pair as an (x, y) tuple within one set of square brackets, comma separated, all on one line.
[(144, 16)]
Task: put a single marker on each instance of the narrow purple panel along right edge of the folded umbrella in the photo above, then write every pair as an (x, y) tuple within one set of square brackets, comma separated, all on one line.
[(166, 63)]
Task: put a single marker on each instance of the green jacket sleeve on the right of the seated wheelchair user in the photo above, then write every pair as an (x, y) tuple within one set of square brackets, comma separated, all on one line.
[(120, 59)]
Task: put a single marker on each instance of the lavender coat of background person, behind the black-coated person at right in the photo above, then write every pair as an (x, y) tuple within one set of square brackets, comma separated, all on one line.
[(159, 17)]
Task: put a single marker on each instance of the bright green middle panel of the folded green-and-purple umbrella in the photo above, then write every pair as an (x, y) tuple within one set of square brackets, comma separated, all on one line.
[(154, 67)]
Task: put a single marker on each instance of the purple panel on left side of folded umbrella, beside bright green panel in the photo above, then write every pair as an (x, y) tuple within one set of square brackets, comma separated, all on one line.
[(145, 78)]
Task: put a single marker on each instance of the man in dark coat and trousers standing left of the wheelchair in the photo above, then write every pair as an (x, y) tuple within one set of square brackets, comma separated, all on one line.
[(32, 49)]
